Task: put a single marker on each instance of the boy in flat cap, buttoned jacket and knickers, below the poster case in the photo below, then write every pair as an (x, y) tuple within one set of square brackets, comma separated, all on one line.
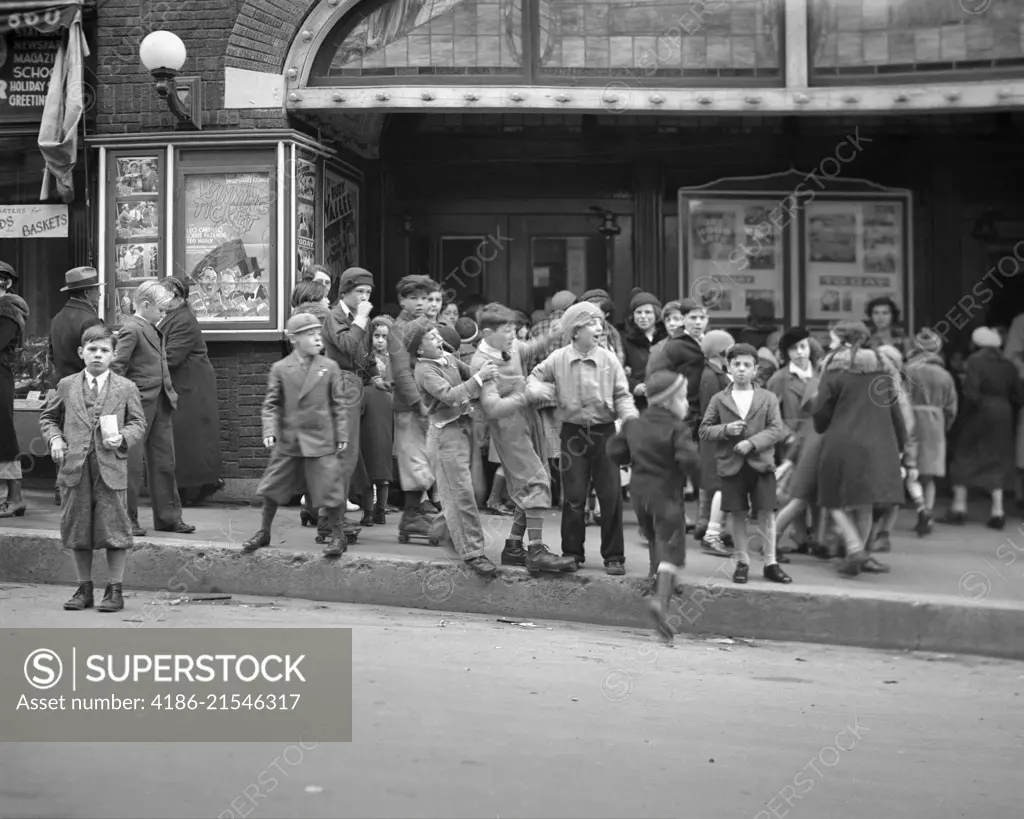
[(306, 415)]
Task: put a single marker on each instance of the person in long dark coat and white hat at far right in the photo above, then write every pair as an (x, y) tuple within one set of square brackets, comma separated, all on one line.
[(984, 458)]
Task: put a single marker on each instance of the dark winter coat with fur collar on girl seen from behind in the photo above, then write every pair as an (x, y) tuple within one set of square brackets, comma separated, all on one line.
[(863, 430)]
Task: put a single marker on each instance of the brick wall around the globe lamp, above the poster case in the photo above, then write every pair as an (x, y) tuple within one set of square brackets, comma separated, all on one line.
[(126, 99)]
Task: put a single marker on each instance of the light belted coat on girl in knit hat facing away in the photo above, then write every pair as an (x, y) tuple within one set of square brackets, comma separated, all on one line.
[(933, 397)]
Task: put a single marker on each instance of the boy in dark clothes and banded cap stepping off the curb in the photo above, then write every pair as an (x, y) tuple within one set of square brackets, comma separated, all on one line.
[(660, 448)]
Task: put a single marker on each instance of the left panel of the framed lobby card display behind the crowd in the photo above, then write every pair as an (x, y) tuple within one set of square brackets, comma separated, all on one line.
[(734, 256)]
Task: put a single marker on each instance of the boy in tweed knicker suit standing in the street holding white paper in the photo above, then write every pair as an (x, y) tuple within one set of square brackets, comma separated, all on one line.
[(91, 422)]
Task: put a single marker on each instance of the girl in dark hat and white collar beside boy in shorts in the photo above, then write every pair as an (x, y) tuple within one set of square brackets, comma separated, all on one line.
[(796, 386)]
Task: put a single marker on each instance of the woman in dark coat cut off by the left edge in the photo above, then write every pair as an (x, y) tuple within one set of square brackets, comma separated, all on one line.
[(14, 315)]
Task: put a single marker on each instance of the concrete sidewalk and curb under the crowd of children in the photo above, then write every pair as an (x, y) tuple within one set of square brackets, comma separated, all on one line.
[(960, 590)]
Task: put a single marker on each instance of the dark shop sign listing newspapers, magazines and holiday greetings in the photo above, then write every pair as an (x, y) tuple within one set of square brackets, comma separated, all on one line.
[(30, 38)]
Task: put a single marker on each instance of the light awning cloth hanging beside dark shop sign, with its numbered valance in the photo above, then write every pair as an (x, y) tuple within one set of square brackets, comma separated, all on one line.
[(65, 98)]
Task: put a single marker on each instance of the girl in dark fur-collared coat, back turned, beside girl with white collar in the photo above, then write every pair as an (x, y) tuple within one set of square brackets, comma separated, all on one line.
[(863, 438)]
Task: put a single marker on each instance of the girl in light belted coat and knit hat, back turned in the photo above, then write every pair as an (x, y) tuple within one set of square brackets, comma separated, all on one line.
[(933, 396)]
